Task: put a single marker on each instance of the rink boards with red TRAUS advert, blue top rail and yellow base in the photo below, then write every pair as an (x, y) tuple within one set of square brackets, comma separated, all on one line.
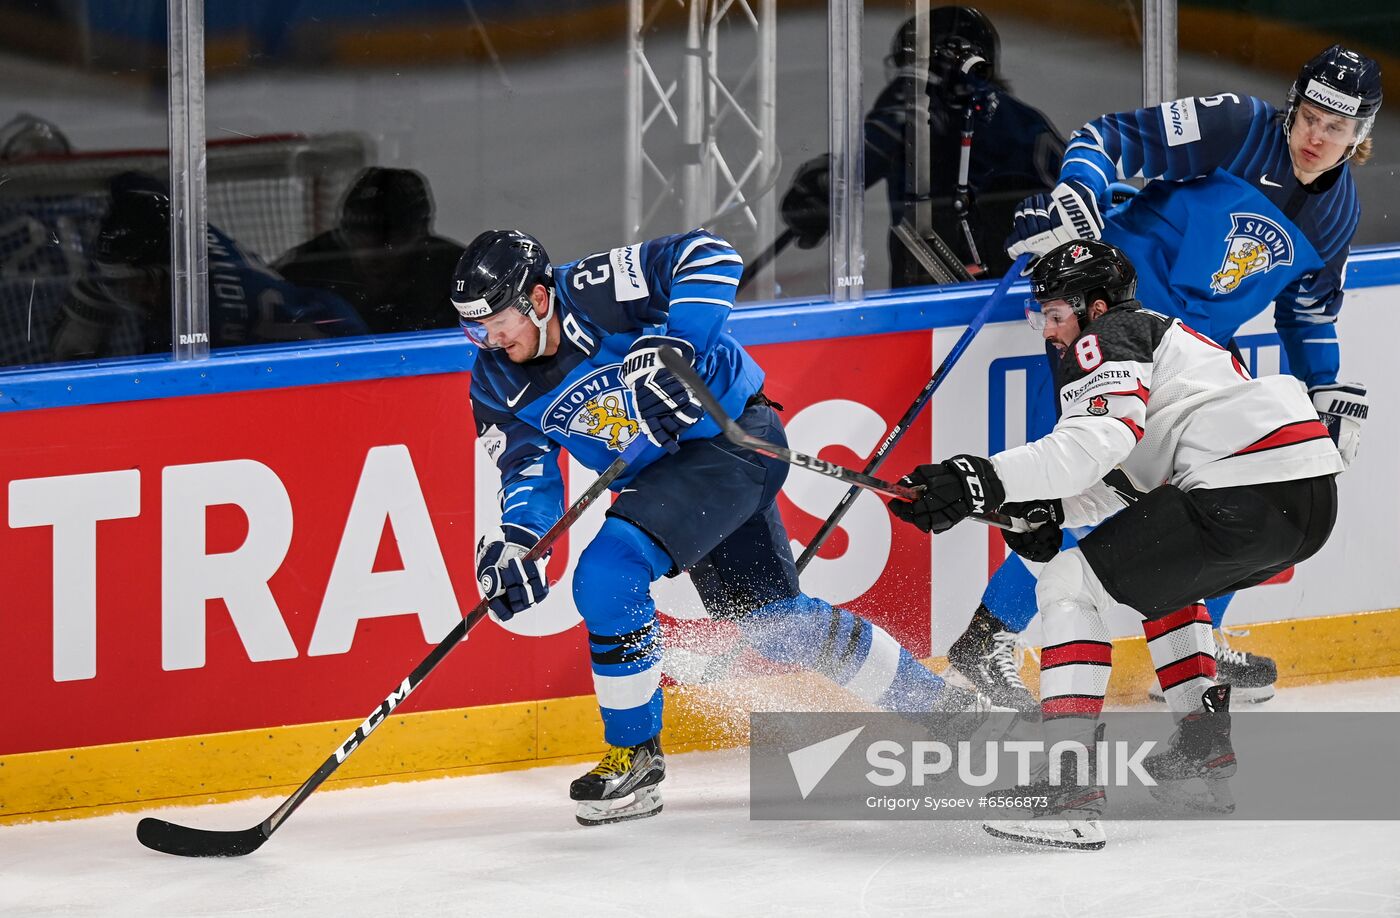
[(209, 567)]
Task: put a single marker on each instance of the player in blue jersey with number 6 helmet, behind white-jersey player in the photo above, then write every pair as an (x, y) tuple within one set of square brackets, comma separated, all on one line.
[(1249, 206)]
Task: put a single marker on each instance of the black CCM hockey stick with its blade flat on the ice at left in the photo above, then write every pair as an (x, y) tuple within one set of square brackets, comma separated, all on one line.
[(205, 843)]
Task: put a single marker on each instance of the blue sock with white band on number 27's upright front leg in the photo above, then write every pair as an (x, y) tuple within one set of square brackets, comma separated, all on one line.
[(612, 591)]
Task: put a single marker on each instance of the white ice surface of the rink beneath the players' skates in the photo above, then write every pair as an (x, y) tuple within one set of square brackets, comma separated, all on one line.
[(507, 845)]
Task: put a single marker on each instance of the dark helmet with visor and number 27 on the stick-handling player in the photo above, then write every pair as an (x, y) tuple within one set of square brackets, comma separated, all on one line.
[(498, 272)]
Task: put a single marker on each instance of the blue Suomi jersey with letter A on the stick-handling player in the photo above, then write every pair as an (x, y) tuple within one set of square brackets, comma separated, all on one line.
[(680, 286)]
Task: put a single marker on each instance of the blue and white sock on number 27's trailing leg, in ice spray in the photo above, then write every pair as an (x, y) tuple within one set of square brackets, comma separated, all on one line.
[(849, 650)]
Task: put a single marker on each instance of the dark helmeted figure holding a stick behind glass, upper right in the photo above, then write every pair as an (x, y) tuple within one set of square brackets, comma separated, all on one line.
[(1016, 149)]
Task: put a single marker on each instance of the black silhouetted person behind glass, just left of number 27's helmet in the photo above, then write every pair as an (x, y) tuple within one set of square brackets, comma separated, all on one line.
[(383, 258)]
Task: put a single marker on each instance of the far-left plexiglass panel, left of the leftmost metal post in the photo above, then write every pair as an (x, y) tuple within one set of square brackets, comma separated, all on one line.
[(85, 208)]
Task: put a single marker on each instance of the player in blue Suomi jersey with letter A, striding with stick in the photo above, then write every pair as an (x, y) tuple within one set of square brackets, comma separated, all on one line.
[(569, 360)]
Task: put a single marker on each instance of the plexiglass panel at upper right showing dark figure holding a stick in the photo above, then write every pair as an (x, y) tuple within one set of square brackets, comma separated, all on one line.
[(1016, 80)]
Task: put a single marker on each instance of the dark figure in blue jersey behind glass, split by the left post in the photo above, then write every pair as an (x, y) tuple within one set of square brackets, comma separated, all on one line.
[(124, 307)]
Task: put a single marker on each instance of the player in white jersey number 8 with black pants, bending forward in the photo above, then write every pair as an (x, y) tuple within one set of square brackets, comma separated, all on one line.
[(1238, 481)]
